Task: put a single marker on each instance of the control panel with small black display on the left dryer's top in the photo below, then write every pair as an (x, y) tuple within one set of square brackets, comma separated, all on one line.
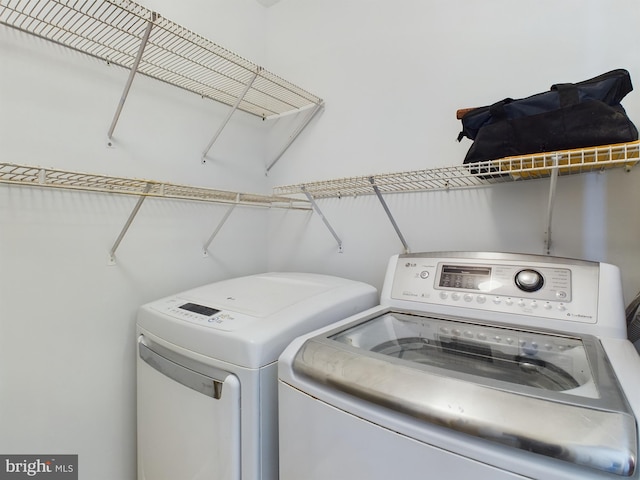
[(204, 315)]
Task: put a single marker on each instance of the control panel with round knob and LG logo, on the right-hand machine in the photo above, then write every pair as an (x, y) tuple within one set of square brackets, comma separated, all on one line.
[(529, 285)]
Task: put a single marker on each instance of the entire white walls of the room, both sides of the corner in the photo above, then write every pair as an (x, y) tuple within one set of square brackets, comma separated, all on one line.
[(392, 74)]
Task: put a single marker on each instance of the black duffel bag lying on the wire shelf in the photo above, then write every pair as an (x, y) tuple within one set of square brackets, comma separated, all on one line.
[(570, 115)]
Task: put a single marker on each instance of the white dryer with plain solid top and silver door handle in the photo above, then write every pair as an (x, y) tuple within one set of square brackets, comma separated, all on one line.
[(207, 371)]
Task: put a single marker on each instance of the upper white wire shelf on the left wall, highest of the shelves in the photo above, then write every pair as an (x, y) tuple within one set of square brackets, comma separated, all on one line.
[(113, 31)]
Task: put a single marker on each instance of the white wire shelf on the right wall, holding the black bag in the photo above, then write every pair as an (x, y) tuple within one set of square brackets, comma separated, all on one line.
[(525, 167)]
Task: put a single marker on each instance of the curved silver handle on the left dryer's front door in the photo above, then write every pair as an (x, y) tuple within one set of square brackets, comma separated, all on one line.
[(163, 363)]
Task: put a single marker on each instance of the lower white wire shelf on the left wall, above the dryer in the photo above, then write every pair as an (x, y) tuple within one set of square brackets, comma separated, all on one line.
[(45, 177)]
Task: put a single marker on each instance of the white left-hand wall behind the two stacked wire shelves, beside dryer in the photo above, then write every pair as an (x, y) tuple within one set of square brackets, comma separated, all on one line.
[(67, 319)]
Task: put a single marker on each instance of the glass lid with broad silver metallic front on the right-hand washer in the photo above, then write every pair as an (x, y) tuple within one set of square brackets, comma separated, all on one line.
[(490, 381)]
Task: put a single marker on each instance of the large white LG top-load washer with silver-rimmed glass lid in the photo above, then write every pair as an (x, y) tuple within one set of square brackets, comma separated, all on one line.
[(488, 366)]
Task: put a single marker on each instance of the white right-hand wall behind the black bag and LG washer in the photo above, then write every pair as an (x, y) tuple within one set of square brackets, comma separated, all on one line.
[(393, 75)]
